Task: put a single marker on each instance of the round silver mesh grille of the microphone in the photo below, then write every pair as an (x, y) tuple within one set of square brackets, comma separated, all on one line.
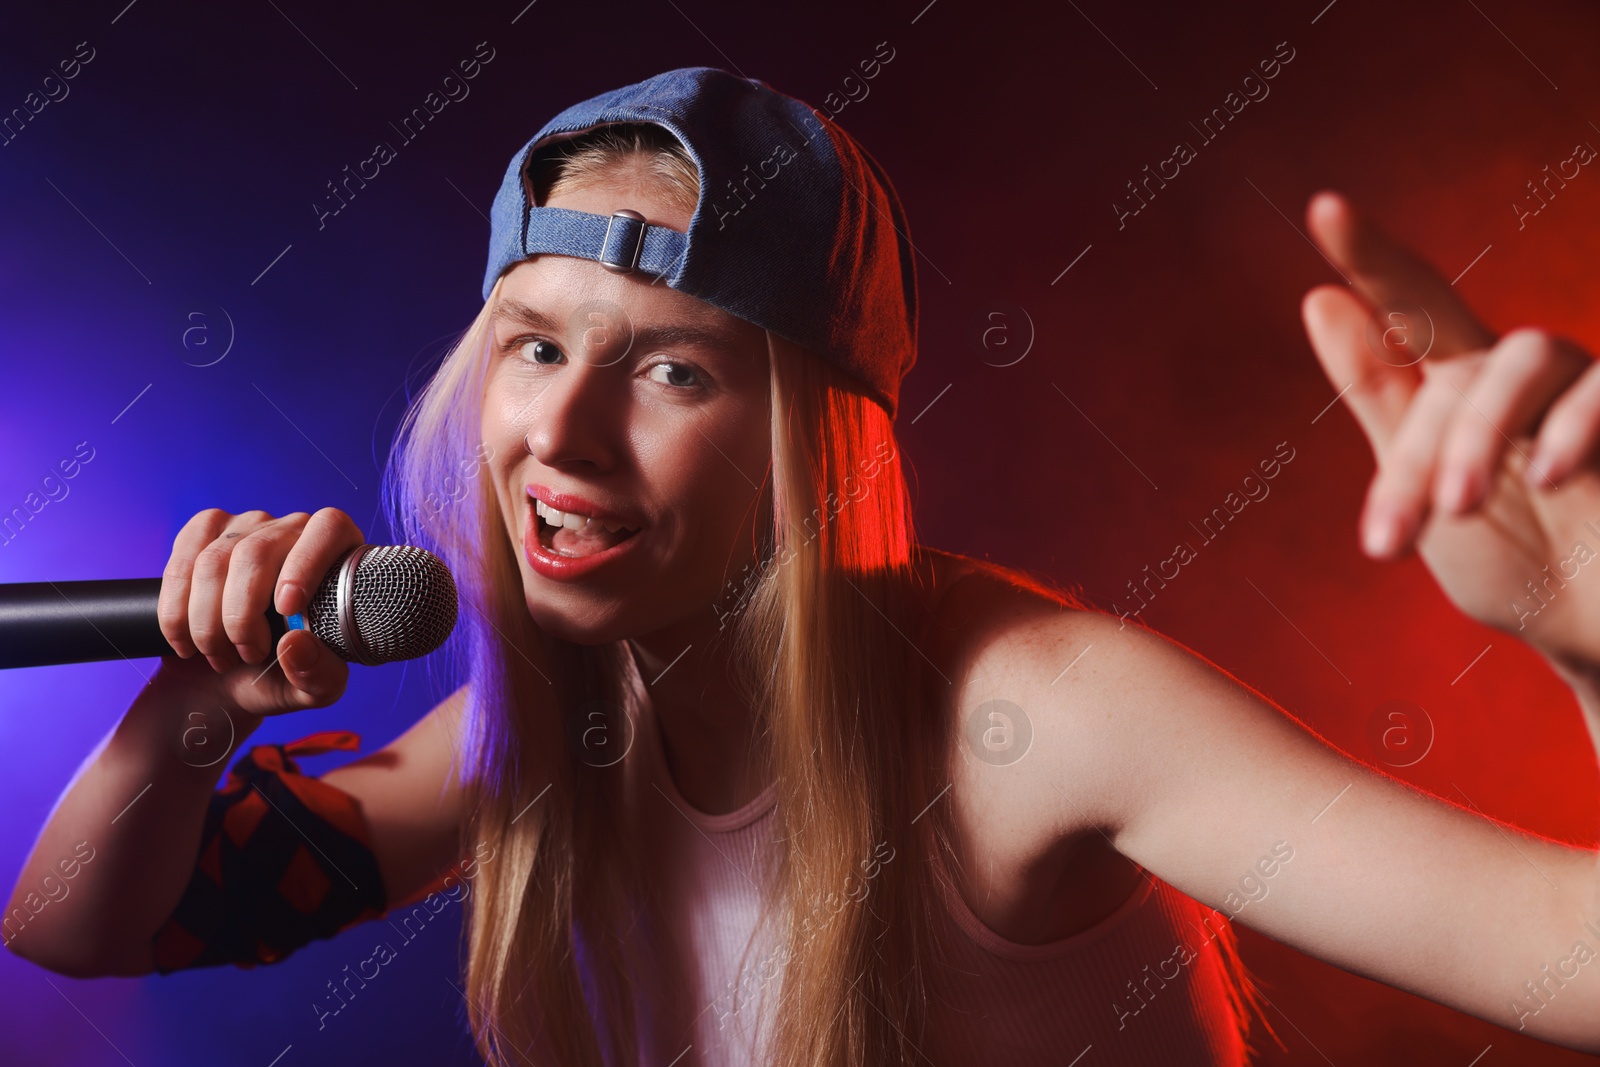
[(385, 602)]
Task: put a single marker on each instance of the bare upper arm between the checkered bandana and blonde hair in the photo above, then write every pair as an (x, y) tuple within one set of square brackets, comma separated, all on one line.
[(410, 793)]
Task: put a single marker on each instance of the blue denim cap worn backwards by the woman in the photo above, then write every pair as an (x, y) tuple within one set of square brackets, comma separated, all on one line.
[(796, 231)]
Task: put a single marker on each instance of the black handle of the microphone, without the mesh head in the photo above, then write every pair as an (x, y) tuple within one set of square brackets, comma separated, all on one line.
[(71, 623)]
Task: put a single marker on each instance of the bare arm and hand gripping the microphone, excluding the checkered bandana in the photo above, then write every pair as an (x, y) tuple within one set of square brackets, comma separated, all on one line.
[(118, 853)]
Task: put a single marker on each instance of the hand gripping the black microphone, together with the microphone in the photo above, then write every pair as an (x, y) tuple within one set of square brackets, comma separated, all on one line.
[(223, 599)]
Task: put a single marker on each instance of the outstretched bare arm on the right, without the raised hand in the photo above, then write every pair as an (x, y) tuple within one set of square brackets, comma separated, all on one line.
[(1230, 799)]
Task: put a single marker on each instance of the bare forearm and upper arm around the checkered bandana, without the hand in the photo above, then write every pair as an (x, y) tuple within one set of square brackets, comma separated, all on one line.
[(129, 828)]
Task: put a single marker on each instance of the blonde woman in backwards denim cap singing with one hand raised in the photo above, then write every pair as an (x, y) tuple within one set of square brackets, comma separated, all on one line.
[(745, 773)]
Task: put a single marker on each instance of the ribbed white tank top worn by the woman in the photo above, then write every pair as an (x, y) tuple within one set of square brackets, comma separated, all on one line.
[(1143, 986)]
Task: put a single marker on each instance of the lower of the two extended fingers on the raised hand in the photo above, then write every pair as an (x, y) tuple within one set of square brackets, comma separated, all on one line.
[(1378, 393)]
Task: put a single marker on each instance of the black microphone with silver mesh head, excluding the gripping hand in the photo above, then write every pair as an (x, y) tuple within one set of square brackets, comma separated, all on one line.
[(378, 604)]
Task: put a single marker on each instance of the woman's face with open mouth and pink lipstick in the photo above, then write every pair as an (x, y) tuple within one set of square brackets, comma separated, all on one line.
[(638, 417)]
